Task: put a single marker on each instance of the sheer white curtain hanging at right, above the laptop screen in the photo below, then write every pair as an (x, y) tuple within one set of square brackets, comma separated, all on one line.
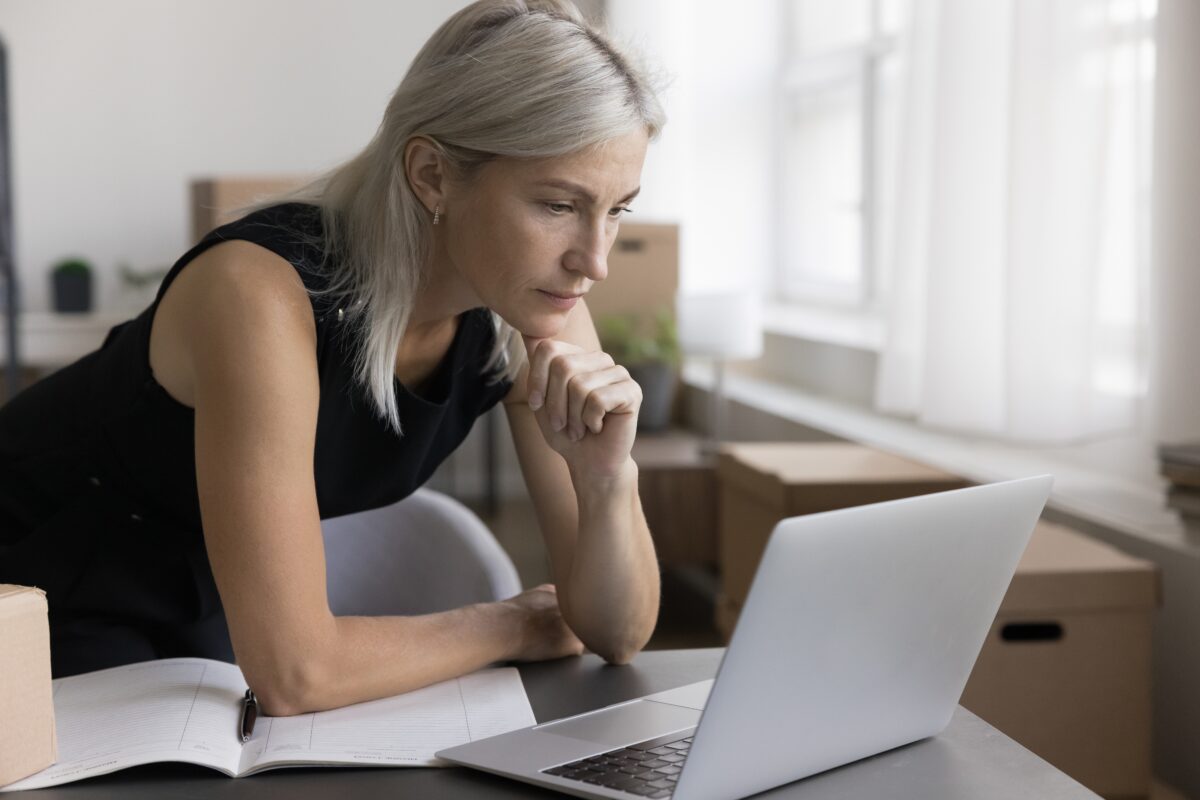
[(1022, 219)]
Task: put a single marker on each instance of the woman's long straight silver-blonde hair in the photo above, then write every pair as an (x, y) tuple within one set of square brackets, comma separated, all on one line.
[(501, 79)]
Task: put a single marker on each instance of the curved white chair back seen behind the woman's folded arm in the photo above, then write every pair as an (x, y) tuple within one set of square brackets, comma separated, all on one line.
[(424, 555)]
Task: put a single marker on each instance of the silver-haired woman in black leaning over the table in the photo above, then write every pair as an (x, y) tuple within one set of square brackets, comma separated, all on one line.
[(322, 357)]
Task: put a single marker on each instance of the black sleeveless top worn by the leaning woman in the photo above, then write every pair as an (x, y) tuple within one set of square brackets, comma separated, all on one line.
[(98, 472)]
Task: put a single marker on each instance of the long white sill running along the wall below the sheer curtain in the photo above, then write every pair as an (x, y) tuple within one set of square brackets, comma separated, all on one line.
[(1131, 503)]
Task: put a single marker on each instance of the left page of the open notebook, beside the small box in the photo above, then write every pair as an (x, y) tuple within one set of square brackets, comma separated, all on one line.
[(171, 711)]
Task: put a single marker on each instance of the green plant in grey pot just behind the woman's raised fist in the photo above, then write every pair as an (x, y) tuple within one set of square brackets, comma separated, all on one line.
[(650, 350)]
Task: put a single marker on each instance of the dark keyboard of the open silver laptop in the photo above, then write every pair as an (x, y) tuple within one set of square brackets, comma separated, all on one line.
[(649, 769)]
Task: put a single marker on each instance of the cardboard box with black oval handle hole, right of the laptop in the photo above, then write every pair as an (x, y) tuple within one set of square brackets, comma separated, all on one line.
[(1066, 670)]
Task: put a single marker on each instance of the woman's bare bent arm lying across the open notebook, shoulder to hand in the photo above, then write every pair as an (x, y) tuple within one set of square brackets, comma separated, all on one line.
[(237, 334)]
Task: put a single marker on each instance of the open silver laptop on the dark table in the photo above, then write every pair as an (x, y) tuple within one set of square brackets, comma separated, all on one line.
[(859, 636)]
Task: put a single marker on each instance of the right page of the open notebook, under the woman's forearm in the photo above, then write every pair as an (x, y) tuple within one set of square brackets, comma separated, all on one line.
[(403, 731)]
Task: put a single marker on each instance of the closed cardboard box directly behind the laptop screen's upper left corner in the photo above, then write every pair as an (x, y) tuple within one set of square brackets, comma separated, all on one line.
[(763, 484)]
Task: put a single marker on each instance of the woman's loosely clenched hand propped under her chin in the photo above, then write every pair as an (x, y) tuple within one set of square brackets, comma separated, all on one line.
[(585, 405)]
